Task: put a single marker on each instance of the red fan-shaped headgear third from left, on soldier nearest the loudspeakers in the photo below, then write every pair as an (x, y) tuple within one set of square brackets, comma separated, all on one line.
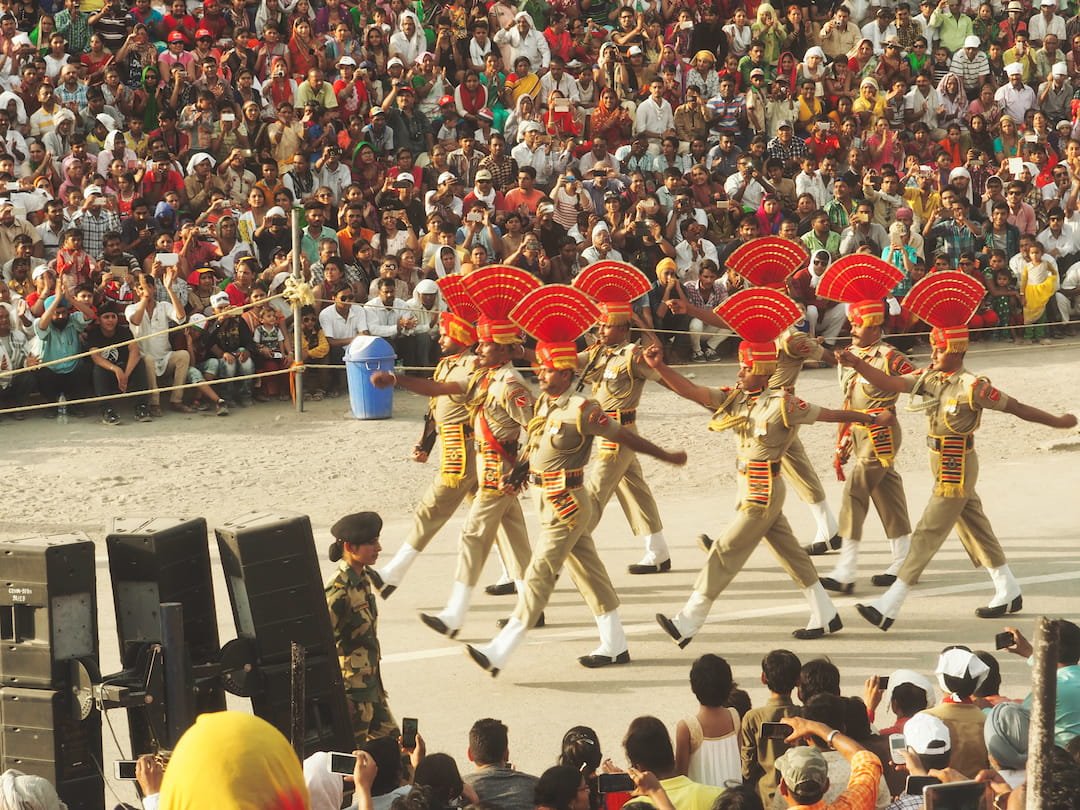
[(557, 316)]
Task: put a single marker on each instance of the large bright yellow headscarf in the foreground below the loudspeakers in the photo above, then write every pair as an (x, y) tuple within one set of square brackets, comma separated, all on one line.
[(232, 761)]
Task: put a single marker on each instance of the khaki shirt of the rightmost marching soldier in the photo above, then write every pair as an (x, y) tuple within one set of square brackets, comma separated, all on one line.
[(957, 400)]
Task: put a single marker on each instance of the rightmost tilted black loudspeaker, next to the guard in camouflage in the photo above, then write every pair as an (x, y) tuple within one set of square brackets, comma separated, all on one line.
[(278, 598)]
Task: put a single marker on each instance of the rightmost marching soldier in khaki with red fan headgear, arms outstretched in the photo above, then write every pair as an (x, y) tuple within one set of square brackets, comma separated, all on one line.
[(956, 400)]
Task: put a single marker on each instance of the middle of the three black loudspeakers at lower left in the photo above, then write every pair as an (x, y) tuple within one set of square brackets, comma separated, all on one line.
[(161, 561)]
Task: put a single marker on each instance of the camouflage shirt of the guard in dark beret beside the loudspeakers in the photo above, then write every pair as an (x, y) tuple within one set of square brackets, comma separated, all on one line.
[(355, 619)]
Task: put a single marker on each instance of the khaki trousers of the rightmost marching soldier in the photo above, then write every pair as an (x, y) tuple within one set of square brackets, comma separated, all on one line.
[(942, 515)]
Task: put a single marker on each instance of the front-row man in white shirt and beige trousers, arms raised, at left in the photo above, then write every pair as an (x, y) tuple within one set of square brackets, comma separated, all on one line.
[(152, 318)]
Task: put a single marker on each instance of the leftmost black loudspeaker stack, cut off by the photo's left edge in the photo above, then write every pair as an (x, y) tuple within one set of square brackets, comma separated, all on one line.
[(49, 651)]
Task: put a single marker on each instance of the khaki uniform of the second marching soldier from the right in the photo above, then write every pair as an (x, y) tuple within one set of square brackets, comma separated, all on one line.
[(874, 449)]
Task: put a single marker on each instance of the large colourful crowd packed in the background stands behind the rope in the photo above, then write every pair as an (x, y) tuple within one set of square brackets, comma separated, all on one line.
[(153, 156)]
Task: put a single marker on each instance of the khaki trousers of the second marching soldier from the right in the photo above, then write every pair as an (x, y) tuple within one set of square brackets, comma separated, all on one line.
[(869, 481)]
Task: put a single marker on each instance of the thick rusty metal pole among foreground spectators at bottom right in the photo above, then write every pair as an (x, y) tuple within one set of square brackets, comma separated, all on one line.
[(1044, 699)]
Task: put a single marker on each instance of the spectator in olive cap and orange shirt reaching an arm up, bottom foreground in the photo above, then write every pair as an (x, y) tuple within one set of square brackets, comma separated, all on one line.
[(804, 772)]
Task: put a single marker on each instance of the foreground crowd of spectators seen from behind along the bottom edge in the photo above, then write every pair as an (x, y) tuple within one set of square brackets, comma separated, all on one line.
[(836, 751)]
